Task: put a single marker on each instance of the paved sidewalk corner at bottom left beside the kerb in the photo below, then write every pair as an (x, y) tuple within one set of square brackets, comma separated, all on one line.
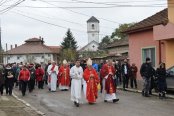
[(11, 106)]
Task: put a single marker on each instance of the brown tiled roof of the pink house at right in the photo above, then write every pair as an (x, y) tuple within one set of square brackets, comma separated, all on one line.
[(148, 23)]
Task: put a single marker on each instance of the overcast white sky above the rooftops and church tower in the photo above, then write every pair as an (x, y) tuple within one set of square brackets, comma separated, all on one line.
[(50, 19)]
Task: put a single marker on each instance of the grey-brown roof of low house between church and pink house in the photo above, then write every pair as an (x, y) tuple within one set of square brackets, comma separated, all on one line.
[(117, 43)]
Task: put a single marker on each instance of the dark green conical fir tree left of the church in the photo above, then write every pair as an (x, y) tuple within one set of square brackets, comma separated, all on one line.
[(69, 41)]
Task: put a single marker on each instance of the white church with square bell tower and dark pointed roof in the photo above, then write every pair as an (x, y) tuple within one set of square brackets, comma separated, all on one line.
[(93, 35)]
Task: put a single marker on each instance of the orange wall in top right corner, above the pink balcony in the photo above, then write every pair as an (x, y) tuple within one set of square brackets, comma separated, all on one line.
[(171, 10)]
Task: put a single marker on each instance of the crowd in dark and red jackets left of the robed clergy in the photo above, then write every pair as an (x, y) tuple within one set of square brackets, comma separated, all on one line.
[(22, 76)]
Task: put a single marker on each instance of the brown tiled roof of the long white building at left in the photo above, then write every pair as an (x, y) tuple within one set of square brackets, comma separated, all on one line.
[(33, 49)]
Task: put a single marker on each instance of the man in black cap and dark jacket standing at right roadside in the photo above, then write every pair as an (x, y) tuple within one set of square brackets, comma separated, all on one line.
[(147, 72)]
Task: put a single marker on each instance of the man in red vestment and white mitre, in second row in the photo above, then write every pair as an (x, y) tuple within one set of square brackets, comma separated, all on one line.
[(64, 76)]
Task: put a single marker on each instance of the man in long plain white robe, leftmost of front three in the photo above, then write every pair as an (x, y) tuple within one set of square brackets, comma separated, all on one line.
[(76, 74)]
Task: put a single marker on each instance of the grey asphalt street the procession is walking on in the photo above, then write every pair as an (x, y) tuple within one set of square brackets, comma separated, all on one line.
[(130, 104)]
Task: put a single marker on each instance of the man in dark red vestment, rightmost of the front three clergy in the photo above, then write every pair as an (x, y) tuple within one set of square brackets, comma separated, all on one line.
[(107, 73)]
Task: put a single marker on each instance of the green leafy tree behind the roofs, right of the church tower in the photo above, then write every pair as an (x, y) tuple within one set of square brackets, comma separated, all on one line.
[(117, 34)]
